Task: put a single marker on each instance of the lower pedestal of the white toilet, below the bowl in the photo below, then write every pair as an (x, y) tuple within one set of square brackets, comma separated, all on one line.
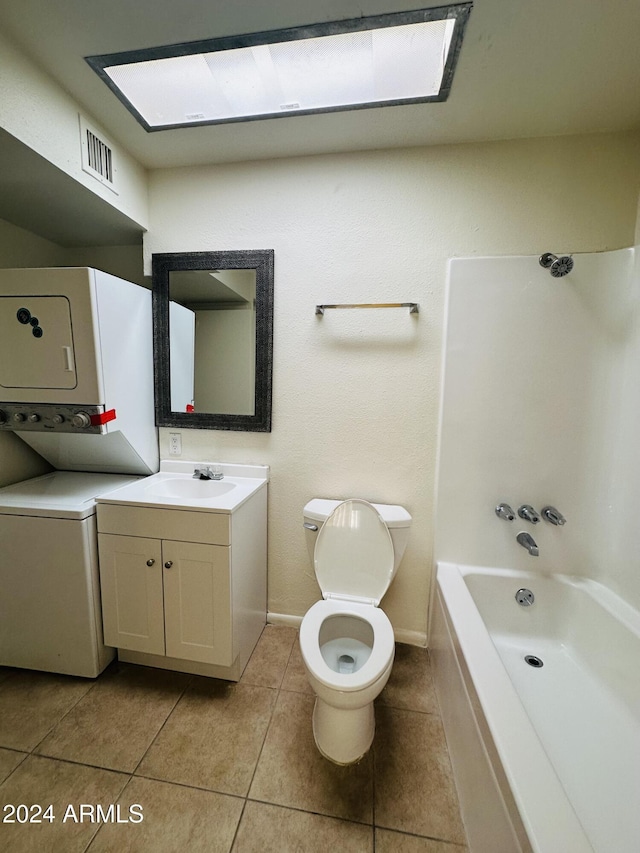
[(343, 735)]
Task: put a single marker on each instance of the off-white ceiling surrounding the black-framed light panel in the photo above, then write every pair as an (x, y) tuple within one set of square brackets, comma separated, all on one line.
[(527, 68)]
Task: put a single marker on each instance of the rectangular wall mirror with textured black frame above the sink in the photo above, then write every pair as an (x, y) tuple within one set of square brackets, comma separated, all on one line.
[(213, 339)]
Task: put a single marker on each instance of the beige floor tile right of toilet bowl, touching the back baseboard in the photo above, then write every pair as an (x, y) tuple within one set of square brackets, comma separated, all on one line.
[(410, 685)]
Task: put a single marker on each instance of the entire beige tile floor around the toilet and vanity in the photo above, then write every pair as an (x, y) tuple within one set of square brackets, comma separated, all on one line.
[(218, 766)]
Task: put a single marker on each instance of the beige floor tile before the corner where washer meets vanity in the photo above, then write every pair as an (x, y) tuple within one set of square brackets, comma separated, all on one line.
[(116, 722)]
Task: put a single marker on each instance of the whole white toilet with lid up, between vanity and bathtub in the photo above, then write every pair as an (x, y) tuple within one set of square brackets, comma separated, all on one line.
[(346, 640)]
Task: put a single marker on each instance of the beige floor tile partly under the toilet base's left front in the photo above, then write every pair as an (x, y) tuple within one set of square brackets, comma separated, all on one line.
[(291, 772)]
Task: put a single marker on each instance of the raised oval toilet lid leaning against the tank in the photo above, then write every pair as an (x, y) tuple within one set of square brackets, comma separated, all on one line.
[(354, 555)]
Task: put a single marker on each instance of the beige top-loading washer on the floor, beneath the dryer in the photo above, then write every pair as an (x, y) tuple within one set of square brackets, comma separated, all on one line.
[(50, 614)]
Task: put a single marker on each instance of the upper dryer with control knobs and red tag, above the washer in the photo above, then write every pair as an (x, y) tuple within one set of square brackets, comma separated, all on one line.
[(76, 368)]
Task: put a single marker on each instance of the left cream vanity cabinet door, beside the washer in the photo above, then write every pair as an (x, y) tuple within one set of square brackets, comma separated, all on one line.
[(132, 598)]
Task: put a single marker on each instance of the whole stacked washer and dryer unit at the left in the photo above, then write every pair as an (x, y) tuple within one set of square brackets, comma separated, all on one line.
[(76, 384)]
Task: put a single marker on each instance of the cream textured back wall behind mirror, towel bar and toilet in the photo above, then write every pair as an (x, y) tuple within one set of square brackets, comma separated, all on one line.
[(356, 394)]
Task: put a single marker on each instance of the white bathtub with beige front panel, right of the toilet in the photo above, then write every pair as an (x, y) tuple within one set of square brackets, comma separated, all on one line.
[(546, 758)]
